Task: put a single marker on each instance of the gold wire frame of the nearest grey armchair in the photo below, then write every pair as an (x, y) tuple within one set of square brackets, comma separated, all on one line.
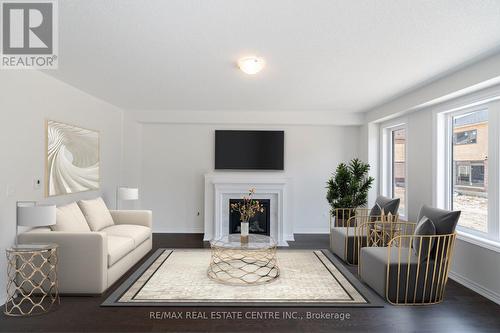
[(433, 261)]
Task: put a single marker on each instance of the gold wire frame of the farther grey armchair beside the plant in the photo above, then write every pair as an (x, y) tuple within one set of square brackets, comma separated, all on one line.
[(356, 218)]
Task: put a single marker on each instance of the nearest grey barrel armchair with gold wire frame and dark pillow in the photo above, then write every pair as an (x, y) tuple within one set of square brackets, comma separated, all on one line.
[(411, 266)]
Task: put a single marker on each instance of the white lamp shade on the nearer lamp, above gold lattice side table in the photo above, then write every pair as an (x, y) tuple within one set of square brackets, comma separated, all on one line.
[(32, 215)]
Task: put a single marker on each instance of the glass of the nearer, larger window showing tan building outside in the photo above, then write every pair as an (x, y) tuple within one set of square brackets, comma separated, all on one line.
[(469, 168)]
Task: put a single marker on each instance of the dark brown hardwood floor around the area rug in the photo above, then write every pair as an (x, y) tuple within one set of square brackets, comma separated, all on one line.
[(462, 311)]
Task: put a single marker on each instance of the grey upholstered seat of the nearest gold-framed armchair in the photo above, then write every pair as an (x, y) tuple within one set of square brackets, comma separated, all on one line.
[(410, 274)]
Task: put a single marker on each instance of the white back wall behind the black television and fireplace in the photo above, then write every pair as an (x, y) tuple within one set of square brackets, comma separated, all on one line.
[(176, 156)]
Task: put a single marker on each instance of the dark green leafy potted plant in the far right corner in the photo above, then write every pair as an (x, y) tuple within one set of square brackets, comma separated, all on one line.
[(348, 187)]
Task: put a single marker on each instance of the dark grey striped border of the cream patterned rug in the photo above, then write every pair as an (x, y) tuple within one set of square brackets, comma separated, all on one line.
[(372, 300)]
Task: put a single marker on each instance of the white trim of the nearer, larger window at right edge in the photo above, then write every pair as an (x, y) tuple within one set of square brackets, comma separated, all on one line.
[(442, 154)]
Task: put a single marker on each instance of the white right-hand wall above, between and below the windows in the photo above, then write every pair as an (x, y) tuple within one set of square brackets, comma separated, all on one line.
[(475, 266)]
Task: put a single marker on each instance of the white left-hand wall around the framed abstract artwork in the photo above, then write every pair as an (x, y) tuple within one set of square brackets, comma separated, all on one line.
[(27, 99)]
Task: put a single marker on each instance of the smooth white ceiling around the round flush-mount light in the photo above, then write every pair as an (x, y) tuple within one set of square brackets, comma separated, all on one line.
[(326, 55)]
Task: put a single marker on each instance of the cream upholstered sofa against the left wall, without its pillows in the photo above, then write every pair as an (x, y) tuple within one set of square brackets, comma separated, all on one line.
[(91, 261)]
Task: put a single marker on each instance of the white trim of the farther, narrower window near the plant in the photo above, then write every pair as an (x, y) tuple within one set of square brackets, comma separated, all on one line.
[(386, 160)]
